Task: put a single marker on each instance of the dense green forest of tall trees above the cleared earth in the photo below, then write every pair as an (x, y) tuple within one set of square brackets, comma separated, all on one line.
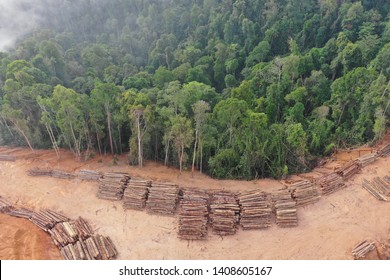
[(234, 88)]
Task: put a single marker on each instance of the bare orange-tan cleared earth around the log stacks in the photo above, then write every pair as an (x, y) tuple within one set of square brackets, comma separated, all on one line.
[(328, 229)]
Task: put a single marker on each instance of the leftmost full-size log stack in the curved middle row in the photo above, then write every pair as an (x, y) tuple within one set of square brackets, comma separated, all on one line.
[(112, 186)]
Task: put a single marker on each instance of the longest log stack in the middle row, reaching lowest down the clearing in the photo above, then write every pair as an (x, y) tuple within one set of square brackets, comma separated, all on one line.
[(193, 215)]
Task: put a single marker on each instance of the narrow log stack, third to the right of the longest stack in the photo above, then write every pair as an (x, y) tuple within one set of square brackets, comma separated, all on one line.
[(285, 208)]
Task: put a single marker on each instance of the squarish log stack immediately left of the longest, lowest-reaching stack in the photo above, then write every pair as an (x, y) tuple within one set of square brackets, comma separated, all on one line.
[(163, 198)]
